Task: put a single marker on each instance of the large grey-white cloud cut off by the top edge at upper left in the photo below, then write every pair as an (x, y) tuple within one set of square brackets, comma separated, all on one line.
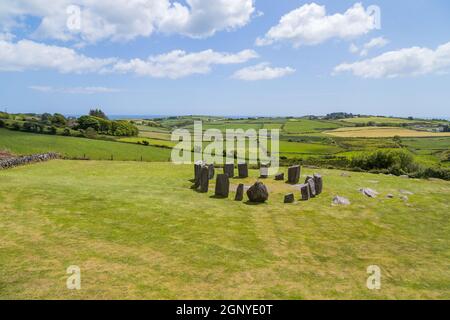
[(122, 20)]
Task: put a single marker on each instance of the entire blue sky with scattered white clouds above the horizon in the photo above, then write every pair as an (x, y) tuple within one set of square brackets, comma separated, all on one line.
[(226, 57)]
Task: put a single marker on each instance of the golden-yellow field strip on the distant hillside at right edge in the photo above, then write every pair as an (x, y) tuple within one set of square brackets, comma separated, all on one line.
[(382, 132)]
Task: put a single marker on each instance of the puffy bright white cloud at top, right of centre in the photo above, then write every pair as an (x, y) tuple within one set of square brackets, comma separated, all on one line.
[(310, 25)]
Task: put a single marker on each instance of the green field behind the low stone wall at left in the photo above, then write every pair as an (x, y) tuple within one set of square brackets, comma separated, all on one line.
[(29, 143)]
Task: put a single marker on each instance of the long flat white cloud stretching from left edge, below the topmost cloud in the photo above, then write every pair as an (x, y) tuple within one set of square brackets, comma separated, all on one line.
[(29, 55)]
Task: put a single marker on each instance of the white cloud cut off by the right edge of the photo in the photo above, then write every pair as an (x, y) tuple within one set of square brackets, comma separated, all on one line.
[(405, 62)]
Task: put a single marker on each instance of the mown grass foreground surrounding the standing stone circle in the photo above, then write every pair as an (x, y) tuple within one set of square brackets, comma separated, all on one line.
[(138, 231)]
